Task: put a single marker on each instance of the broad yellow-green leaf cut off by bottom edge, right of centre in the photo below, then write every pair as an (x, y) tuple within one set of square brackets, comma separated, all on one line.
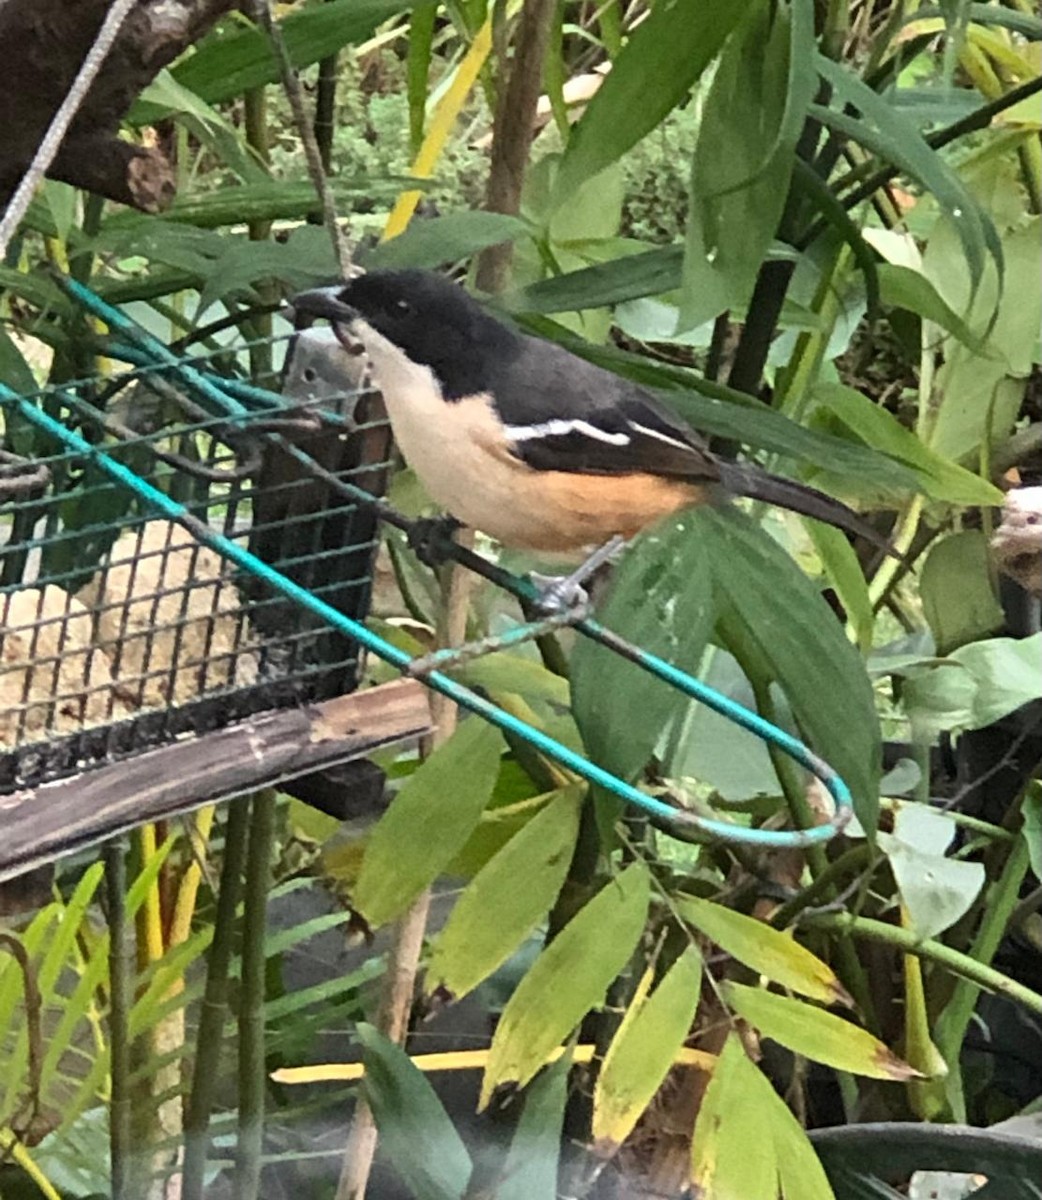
[(730, 1162)]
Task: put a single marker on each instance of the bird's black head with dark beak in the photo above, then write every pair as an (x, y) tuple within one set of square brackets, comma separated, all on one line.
[(429, 317)]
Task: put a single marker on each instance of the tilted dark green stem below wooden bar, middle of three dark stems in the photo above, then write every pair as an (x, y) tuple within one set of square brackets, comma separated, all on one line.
[(215, 1000)]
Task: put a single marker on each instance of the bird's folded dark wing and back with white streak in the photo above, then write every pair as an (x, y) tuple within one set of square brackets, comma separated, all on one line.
[(564, 413)]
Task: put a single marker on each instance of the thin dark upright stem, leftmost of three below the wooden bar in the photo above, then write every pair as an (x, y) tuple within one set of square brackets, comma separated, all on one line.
[(121, 975)]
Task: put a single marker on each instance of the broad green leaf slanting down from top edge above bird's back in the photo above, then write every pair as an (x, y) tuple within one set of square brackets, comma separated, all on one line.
[(674, 46)]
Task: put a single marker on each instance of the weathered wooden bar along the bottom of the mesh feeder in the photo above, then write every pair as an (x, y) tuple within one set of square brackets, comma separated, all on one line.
[(41, 824)]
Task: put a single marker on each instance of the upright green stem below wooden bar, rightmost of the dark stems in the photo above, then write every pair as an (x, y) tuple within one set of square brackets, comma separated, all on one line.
[(253, 1077)]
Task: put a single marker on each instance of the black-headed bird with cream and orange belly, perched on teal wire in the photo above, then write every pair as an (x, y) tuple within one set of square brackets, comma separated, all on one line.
[(523, 440)]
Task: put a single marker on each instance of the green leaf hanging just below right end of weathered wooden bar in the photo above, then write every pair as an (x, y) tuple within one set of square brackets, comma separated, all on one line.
[(428, 823)]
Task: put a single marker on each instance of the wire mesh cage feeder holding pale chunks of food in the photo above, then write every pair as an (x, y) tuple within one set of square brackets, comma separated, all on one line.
[(122, 631)]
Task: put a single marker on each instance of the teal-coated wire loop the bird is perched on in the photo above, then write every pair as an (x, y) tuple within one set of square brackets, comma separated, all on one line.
[(679, 823)]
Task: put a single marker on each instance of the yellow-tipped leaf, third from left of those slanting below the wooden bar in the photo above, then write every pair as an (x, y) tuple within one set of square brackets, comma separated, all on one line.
[(568, 979)]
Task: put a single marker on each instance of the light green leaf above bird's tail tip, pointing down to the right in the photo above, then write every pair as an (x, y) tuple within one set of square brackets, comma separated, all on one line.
[(939, 477)]
